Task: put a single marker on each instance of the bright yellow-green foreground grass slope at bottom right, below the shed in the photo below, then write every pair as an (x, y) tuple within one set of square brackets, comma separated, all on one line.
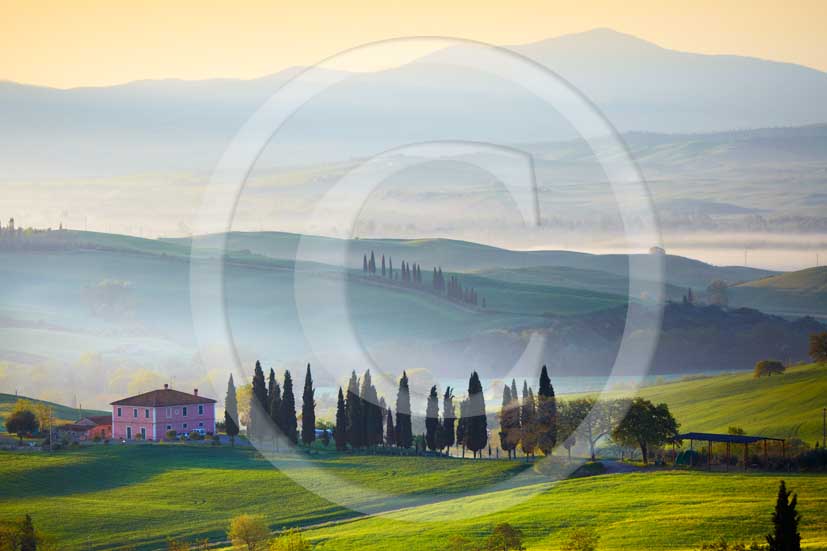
[(643, 511)]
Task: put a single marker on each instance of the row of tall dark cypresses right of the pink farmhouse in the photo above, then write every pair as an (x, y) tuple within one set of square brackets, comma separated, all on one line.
[(364, 420)]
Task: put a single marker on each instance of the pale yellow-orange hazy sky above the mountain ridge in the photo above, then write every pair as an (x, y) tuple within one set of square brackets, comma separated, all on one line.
[(66, 43)]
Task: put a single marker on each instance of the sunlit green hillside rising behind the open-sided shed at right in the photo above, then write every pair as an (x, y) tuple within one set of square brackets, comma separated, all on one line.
[(783, 406)]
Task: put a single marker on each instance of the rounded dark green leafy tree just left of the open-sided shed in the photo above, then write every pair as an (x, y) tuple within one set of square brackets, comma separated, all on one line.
[(646, 425)]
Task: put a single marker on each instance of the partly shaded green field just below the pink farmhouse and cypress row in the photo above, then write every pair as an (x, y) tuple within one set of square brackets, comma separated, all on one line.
[(109, 496)]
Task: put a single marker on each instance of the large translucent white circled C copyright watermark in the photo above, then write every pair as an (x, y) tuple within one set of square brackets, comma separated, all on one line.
[(353, 190)]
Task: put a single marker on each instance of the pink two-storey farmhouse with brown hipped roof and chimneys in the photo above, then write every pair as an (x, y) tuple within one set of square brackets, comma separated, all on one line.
[(150, 415)]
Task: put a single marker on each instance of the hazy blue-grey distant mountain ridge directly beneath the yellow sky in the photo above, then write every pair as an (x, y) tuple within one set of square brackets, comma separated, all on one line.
[(185, 125)]
